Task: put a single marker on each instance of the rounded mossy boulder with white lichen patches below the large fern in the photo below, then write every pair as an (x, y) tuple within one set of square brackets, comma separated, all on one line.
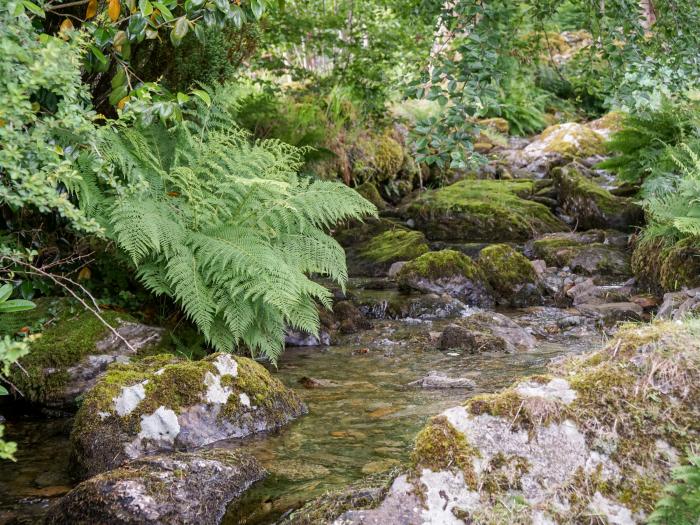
[(162, 403)]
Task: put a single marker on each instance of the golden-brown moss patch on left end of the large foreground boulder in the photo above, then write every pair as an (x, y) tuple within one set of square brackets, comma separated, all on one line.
[(439, 446)]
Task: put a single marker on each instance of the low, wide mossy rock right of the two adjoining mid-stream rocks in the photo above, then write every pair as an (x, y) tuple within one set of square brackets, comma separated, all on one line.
[(595, 252)]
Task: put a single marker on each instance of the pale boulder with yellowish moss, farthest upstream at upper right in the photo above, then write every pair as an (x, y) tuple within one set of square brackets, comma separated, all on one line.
[(571, 140)]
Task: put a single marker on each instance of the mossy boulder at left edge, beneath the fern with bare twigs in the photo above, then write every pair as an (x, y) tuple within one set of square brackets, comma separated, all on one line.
[(72, 348)]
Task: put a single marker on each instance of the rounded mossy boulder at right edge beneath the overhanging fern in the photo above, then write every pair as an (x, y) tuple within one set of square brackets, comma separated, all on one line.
[(661, 265)]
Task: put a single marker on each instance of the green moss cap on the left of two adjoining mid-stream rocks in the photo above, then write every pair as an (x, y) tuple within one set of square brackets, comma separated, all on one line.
[(437, 265)]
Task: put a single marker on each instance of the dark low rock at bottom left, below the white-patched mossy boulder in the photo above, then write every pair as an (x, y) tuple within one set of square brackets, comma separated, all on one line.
[(176, 488)]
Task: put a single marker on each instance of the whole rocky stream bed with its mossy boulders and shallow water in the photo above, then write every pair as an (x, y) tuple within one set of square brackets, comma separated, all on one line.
[(493, 304)]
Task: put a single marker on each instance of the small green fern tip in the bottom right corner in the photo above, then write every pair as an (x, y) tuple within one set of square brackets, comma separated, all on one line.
[(681, 502)]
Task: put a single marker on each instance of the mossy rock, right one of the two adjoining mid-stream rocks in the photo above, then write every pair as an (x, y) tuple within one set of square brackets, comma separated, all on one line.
[(505, 268)]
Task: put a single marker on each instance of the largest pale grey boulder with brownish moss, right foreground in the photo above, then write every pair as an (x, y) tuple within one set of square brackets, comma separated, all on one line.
[(596, 439)]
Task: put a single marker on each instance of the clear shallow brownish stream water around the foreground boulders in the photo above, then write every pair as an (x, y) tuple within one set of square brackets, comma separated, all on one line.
[(364, 425)]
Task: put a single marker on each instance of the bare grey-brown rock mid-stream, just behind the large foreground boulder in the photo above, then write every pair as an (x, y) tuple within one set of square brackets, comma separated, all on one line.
[(486, 332)]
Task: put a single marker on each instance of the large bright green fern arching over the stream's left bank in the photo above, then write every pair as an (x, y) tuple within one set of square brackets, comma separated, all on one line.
[(225, 226)]
